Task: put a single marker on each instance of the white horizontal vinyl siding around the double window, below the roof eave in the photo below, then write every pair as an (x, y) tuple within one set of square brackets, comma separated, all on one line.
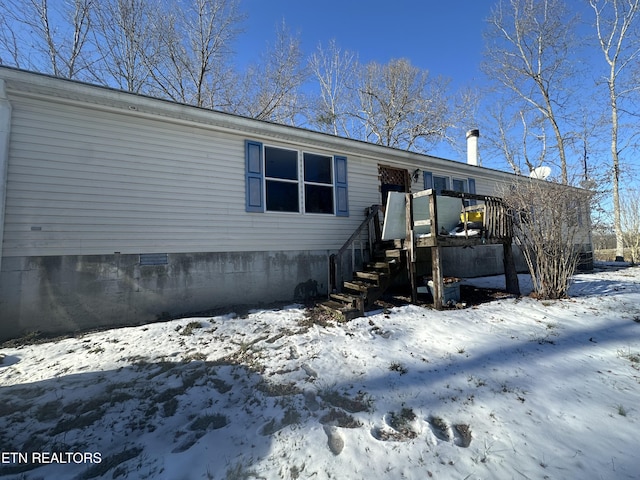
[(88, 181)]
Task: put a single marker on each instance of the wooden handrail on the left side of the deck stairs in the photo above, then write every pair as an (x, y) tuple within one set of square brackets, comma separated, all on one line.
[(370, 227)]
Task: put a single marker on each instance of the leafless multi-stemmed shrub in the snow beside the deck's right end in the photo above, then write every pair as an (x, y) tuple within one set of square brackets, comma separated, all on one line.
[(551, 222)]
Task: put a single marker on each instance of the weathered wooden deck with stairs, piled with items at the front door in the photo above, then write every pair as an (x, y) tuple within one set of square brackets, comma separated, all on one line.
[(422, 228)]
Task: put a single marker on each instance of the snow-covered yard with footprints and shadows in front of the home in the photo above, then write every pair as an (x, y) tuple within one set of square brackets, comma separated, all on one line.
[(514, 388)]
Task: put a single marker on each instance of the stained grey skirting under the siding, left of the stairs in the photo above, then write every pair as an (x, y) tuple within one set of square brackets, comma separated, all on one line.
[(62, 294)]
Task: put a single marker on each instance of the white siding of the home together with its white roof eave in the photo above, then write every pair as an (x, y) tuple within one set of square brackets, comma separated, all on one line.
[(85, 178)]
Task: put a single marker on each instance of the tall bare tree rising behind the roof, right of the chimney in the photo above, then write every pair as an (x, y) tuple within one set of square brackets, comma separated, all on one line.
[(528, 53)]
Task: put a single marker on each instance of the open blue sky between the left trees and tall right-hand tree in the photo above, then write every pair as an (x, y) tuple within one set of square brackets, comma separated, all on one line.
[(444, 37)]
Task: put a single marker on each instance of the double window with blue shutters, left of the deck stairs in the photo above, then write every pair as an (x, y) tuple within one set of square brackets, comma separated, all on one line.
[(295, 181)]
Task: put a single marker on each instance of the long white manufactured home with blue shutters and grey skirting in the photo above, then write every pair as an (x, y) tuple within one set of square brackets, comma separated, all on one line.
[(122, 209)]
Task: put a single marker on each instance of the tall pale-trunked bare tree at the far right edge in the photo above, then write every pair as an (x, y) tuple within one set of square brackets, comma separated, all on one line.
[(620, 45)]
